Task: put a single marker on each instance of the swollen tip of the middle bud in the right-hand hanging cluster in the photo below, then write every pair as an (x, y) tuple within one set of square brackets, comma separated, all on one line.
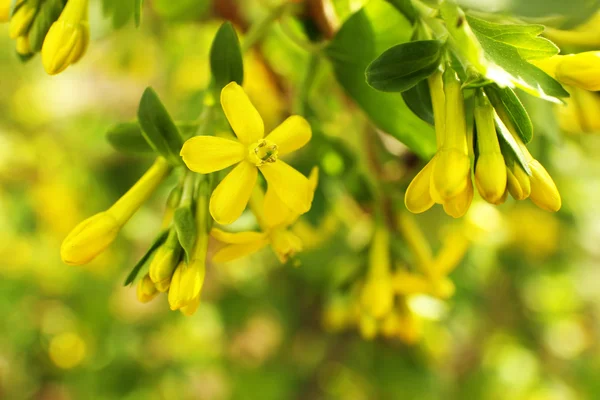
[(490, 177)]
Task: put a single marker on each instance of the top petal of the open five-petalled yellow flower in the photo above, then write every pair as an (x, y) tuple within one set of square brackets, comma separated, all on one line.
[(245, 121)]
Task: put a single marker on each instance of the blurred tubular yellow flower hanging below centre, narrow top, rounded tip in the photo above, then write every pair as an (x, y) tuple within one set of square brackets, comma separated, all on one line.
[(377, 296)]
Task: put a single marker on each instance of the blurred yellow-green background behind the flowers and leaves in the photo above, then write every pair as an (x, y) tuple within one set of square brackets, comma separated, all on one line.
[(524, 323)]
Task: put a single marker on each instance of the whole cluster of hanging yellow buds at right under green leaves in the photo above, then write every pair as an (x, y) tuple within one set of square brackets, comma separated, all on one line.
[(502, 162)]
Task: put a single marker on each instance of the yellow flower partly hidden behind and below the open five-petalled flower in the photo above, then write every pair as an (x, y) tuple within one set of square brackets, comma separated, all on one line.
[(275, 219)]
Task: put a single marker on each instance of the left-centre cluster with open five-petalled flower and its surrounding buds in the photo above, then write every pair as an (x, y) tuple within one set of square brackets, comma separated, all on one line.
[(177, 260)]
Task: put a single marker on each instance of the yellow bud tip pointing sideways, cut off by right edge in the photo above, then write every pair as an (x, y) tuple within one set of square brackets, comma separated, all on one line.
[(580, 70)]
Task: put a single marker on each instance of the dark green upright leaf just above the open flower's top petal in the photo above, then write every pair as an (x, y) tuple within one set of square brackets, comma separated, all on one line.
[(226, 63)]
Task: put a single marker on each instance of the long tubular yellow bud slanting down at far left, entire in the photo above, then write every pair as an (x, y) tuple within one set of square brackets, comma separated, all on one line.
[(92, 236)]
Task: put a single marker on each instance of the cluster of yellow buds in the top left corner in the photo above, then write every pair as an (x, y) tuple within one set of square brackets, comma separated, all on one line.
[(56, 28)]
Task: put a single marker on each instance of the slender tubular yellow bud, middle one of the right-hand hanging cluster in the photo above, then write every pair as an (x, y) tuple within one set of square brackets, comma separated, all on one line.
[(490, 171)]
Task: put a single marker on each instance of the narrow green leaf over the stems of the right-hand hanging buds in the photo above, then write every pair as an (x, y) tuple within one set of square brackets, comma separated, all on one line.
[(506, 99)]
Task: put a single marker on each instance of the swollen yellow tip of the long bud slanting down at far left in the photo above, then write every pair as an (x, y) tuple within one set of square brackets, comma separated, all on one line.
[(90, 238)]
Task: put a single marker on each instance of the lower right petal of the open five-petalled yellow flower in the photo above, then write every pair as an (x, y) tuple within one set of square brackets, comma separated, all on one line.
[(289, 185)]
